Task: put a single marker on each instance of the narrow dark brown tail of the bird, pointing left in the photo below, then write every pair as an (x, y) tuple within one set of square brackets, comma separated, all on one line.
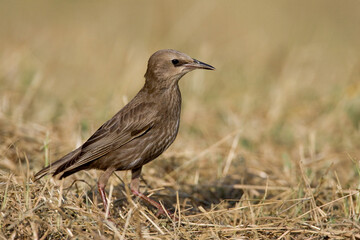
[(59, 165)]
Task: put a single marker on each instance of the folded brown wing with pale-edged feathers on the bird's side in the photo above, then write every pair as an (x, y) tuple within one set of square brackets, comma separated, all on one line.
[(122, 128)]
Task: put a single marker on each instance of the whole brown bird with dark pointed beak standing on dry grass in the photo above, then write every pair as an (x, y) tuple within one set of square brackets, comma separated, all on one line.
[(139, 132)]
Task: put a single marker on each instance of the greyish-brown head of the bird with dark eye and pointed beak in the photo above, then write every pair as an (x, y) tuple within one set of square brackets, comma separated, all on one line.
[(168, 66)]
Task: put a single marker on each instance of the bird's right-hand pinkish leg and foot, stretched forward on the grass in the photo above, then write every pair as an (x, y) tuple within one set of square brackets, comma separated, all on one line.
[(134, 186)]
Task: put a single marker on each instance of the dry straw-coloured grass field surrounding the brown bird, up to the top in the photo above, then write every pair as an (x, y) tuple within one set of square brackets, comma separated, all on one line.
[(269, 143)]
